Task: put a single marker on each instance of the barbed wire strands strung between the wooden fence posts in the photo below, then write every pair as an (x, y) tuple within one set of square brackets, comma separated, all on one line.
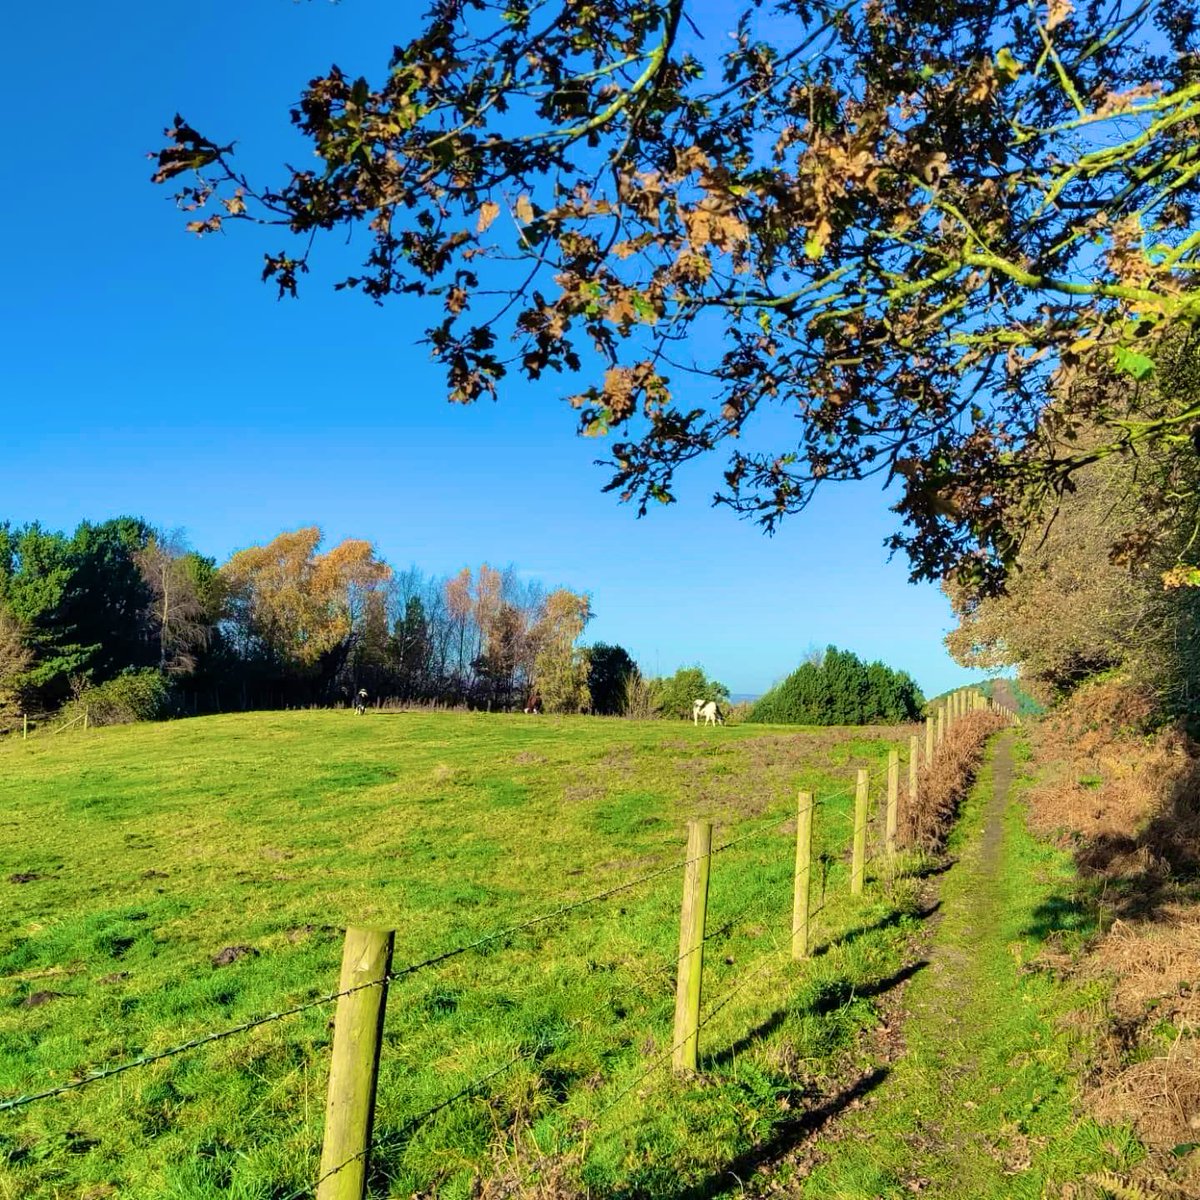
[(397, 1138)]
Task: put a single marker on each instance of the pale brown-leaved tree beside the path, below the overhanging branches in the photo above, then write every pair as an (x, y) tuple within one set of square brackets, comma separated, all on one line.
[(1090, 595)]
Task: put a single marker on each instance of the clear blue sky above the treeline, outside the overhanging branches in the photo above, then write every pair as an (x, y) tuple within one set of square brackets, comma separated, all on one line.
[(146, 373)]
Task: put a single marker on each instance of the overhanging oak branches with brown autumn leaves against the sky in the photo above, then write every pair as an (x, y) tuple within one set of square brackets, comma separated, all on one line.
[(899, 223)]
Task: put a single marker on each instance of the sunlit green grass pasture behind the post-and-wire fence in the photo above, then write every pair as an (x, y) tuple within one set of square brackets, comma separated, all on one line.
[(133, 857)]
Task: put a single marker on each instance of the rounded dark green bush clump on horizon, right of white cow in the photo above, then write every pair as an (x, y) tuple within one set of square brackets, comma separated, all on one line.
[(838, 688)]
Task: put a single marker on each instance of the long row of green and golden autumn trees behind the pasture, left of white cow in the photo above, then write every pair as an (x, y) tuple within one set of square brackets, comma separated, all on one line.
[(135, 625)]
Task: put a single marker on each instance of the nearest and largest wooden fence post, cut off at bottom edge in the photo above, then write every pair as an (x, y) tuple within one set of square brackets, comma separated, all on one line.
[(358, 1035)]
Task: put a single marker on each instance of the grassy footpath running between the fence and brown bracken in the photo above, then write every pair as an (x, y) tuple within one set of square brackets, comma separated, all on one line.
[(985, 1100)]
